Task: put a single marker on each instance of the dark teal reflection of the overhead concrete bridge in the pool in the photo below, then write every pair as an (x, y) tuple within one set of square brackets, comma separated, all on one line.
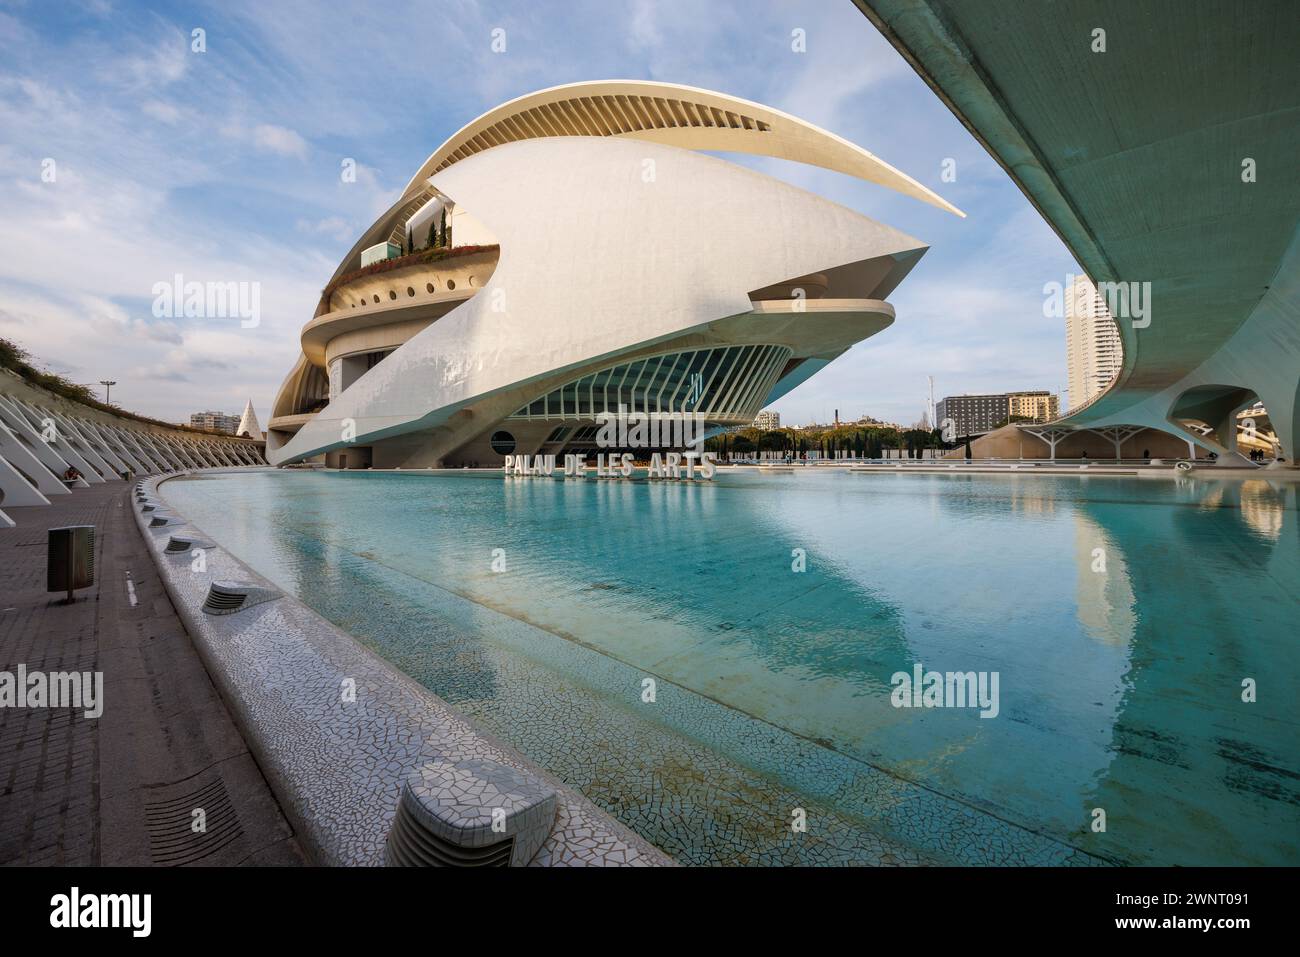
[(1215, 604)]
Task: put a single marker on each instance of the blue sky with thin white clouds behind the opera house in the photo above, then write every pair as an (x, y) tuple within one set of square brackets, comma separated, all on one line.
[(224, 166)]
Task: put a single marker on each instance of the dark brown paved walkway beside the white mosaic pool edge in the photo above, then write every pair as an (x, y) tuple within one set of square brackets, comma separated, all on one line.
[(124, 789)]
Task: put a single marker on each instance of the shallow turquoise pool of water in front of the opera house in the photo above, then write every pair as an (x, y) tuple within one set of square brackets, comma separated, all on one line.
[(1120, 616)]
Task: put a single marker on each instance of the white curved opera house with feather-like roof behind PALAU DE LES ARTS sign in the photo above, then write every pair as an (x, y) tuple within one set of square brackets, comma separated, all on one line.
[(593, 259)]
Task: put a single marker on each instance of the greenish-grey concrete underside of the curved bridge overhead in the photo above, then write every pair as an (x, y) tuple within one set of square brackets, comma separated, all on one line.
[(1168, 158)]
